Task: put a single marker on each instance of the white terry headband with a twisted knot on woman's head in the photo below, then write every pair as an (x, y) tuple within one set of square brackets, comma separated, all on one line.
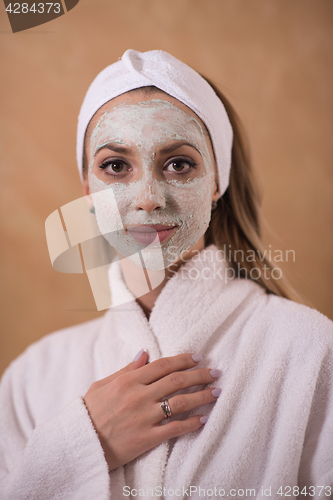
[(156, 67)]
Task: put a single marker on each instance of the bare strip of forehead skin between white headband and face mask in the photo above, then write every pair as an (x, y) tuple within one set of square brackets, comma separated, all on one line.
[(138, 96)]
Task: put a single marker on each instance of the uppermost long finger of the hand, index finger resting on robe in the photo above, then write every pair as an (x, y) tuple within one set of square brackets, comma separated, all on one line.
[(163, 366)]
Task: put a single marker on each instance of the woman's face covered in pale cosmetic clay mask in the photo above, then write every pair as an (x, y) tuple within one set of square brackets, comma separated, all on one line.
[(151, 175)]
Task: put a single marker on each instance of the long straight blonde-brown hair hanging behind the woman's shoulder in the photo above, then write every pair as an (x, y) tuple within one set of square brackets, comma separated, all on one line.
[(236, 223)]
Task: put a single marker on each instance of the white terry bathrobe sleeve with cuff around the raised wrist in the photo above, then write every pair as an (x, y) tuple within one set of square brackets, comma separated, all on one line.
[(60, 458)]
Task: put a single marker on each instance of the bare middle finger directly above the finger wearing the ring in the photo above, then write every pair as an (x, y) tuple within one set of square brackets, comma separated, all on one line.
[(182, 380)]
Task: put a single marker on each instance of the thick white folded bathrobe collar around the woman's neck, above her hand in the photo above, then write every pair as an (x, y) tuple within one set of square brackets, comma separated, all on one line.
[(191, 306)]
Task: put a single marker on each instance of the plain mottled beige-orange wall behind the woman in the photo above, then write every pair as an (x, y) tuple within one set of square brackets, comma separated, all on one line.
[(272, 58)]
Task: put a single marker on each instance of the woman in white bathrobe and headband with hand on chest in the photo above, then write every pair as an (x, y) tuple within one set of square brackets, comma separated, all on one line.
[(78, 419)]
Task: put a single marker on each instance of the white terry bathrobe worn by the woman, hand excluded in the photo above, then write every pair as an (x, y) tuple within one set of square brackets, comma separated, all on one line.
[(271, 428)]
